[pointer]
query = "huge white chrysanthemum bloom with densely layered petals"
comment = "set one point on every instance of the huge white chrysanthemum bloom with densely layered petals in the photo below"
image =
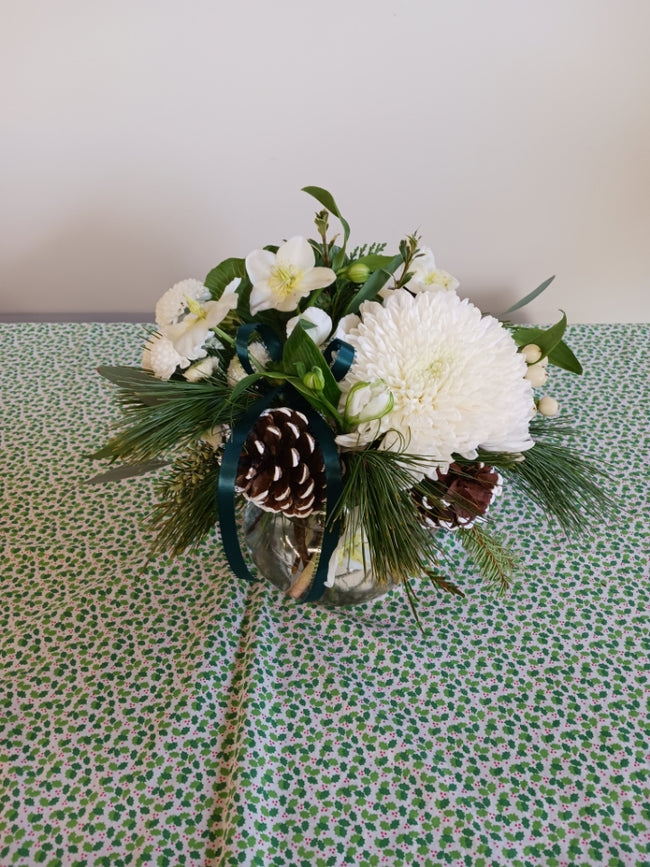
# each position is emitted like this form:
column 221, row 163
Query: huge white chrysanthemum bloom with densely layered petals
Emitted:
column 456, row 376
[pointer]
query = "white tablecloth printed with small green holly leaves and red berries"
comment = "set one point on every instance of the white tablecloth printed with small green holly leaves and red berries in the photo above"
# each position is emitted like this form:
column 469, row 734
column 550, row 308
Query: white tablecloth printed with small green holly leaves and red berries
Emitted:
column 170, row 714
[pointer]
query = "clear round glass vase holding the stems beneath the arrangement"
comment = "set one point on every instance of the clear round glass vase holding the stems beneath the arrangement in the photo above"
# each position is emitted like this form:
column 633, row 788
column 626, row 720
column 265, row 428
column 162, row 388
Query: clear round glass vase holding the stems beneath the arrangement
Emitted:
column 283, row 548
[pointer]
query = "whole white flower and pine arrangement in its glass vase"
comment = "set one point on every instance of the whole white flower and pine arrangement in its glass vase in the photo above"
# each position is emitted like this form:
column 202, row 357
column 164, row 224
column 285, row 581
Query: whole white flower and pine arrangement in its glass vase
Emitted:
column 350, row 390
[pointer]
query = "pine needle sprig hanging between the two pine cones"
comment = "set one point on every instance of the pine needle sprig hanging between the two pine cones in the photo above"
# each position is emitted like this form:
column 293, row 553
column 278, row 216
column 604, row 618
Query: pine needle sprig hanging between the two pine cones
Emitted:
column 377, row 503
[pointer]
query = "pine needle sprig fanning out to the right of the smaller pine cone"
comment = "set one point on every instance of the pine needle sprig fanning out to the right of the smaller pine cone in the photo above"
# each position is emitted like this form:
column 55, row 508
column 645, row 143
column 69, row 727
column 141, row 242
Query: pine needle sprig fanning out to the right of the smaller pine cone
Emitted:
column 567, row 486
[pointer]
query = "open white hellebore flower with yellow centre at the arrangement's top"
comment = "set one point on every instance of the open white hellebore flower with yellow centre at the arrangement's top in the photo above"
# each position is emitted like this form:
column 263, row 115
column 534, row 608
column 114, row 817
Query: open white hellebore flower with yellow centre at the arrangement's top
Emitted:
column 281, row 279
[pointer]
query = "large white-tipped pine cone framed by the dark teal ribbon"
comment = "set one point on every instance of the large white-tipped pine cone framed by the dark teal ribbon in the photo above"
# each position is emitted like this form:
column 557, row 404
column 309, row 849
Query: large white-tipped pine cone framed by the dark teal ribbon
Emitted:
column 281, row 468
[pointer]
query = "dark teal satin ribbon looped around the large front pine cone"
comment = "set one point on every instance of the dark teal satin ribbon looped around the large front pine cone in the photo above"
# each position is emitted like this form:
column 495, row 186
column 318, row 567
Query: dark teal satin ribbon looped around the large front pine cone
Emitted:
column 232, row 452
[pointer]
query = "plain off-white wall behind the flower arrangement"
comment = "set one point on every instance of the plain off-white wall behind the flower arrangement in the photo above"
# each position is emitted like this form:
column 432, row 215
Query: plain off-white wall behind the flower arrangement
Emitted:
column 145, row 140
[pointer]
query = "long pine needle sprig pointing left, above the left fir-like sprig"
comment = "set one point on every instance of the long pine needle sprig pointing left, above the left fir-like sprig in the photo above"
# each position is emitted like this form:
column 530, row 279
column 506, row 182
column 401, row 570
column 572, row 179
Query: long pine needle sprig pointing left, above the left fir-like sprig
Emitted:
column 159, row 415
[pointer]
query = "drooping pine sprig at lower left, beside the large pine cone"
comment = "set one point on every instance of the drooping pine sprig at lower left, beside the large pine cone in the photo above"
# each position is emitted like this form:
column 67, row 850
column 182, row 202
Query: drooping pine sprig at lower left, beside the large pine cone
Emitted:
column 187, row 505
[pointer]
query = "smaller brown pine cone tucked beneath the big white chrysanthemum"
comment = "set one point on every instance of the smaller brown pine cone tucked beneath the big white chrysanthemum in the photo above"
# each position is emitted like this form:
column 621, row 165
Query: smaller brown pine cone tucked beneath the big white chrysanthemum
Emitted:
column 458, row 497
